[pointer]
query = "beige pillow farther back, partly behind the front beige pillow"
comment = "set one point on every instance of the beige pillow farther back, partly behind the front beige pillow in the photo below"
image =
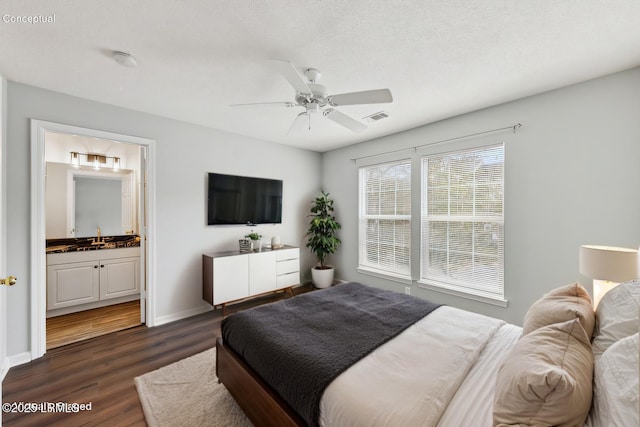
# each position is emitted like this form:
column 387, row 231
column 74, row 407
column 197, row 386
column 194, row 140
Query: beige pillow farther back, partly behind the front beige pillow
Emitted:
column 562, row 304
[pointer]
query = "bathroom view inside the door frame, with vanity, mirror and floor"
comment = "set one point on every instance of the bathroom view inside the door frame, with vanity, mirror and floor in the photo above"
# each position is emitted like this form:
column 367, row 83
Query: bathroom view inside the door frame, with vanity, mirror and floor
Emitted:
column 91, row 203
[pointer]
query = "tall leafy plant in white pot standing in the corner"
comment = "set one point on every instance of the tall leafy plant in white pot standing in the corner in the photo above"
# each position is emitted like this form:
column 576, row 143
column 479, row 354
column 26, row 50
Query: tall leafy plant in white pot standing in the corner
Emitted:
column 322, row 239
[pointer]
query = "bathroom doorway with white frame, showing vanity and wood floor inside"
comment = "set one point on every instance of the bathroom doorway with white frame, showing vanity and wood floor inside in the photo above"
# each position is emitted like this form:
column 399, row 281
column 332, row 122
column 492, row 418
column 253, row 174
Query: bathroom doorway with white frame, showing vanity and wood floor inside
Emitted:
column 91, row 260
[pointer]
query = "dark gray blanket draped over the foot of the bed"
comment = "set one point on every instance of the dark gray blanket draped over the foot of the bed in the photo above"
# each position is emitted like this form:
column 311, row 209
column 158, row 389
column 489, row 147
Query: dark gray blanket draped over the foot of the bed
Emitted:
column 299, row 345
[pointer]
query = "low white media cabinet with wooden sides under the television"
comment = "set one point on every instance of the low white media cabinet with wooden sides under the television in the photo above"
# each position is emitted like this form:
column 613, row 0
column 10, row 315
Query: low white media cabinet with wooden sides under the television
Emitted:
column 233, row 276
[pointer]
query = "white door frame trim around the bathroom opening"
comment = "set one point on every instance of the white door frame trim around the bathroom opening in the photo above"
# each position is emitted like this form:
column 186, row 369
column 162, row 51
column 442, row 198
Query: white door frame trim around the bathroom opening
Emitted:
column 38, row 227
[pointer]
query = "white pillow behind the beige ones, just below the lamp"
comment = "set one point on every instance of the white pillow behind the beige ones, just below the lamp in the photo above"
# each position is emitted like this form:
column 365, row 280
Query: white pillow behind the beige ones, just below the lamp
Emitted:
column 617, row 316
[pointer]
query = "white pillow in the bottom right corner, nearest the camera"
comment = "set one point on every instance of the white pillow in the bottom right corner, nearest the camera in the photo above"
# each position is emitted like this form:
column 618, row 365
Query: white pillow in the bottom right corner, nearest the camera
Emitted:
column 616, row 382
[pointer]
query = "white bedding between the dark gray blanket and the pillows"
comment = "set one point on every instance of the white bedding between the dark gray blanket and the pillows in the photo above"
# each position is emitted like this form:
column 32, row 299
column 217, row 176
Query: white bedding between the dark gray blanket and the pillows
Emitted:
column 410, row 380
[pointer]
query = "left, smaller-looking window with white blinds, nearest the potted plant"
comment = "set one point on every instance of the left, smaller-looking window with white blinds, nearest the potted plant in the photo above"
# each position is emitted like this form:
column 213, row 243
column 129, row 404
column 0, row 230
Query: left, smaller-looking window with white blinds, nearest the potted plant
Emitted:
column 385, row 219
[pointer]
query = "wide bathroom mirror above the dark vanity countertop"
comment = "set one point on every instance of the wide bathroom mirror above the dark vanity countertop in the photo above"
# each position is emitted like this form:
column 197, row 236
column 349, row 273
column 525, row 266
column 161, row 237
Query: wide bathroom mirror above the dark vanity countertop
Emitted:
column 78, row 201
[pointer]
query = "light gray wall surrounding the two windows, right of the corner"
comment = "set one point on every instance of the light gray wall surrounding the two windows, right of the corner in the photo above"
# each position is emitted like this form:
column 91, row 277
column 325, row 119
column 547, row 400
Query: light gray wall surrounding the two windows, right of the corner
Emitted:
column 571, row 178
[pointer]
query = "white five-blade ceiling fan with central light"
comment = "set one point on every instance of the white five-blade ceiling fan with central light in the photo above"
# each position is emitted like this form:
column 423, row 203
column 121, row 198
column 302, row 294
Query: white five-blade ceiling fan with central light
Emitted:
column 315, row 99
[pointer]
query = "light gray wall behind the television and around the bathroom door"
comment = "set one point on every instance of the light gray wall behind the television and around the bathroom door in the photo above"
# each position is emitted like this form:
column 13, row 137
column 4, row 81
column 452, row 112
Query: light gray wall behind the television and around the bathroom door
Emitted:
column 185, row 153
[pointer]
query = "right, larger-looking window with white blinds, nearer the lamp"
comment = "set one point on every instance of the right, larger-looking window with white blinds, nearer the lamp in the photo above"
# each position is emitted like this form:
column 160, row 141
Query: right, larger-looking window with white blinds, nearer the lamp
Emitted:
column 462, row 246
